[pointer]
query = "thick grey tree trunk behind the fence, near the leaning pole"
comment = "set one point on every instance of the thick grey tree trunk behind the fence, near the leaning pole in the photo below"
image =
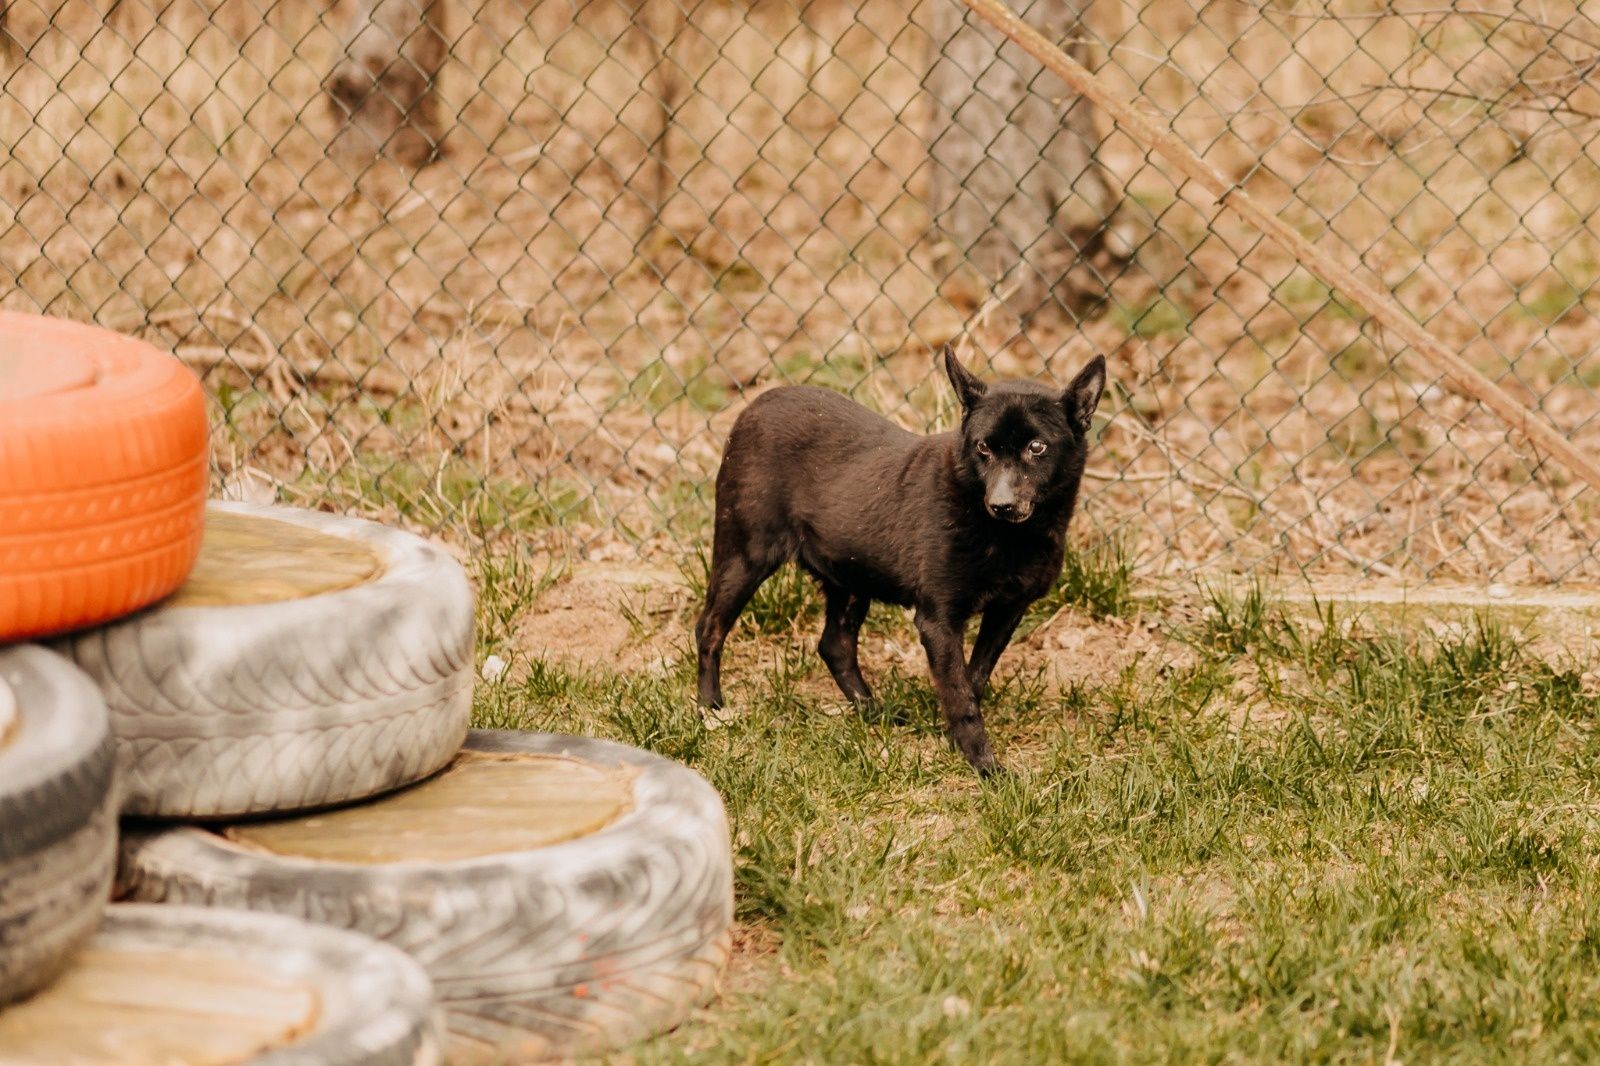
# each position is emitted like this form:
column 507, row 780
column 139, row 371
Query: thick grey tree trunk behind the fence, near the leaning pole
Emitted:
column 1017, row 188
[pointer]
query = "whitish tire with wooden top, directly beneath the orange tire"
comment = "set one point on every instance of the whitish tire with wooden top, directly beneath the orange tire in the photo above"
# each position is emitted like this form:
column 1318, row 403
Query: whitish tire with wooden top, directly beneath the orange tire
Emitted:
column 278, row 700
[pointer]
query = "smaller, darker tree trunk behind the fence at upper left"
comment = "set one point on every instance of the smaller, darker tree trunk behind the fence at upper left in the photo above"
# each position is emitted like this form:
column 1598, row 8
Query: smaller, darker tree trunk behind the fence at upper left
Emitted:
column 385, row 87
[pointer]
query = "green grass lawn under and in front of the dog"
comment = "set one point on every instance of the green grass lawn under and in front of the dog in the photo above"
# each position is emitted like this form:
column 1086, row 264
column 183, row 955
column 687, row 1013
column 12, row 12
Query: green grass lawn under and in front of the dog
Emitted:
column 1292, row 841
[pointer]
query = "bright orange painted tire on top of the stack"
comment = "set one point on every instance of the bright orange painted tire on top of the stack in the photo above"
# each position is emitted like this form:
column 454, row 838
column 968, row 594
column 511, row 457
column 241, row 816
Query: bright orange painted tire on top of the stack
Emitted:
column 103, row 475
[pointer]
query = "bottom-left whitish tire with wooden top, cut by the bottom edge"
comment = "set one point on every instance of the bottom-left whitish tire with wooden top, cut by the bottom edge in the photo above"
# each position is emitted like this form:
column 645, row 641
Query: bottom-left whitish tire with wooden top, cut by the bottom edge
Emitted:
column 199, row 985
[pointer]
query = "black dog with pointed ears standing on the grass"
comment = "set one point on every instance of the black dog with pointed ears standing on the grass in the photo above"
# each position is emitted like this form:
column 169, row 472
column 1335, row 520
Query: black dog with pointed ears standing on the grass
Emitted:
column 954, row 524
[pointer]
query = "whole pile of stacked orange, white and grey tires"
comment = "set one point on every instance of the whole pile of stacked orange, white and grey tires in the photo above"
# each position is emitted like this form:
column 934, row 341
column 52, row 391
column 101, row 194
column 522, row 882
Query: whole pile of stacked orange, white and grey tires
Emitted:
column 274, row 705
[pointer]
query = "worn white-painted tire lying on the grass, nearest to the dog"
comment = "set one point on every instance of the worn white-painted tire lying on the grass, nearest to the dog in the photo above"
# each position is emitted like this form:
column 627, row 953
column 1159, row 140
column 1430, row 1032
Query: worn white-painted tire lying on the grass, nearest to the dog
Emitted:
column 548, row 952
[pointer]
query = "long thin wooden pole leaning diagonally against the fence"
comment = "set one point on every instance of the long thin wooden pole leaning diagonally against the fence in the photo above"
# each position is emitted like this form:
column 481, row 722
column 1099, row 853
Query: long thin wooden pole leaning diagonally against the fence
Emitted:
column 1359, row 291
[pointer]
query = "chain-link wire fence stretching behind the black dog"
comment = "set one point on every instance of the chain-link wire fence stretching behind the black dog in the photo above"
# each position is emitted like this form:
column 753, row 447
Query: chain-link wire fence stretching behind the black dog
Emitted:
column 514, row 266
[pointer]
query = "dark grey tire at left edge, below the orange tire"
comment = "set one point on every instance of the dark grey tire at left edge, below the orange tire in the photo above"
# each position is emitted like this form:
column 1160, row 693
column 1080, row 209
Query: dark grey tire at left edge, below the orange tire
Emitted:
column 58, row 816
